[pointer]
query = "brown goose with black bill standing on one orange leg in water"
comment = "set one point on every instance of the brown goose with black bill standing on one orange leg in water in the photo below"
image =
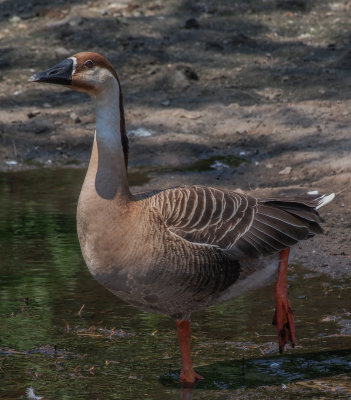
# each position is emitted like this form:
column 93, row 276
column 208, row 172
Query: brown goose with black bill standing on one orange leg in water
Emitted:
column 181, row 249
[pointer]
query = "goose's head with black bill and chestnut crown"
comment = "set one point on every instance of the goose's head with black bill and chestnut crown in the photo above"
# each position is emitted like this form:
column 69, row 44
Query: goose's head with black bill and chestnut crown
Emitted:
column 84, row 72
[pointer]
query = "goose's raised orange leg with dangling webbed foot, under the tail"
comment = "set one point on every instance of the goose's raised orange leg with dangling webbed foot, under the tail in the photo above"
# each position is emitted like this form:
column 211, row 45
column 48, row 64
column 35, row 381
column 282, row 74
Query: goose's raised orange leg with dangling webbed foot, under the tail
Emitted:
column 283, row 317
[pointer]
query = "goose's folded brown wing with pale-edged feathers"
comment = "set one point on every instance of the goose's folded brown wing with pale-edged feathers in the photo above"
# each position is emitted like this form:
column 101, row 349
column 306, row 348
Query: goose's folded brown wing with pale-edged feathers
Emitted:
column 240, row 224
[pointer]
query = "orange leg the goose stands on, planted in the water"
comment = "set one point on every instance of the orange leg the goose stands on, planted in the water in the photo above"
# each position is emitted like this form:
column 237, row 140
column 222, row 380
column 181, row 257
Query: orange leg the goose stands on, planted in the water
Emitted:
column 187, row 374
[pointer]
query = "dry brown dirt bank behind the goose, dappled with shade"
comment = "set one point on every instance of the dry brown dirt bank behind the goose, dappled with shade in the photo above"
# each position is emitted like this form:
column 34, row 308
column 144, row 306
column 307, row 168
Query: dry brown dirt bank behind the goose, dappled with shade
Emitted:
column 266, row 80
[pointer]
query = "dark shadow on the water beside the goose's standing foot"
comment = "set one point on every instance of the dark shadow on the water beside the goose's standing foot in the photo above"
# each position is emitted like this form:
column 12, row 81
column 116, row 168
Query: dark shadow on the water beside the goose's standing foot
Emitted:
column 276, row 370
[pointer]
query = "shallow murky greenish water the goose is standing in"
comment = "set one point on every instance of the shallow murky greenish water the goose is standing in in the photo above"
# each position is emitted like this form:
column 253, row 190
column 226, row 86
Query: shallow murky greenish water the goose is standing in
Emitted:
column 66, row 337
